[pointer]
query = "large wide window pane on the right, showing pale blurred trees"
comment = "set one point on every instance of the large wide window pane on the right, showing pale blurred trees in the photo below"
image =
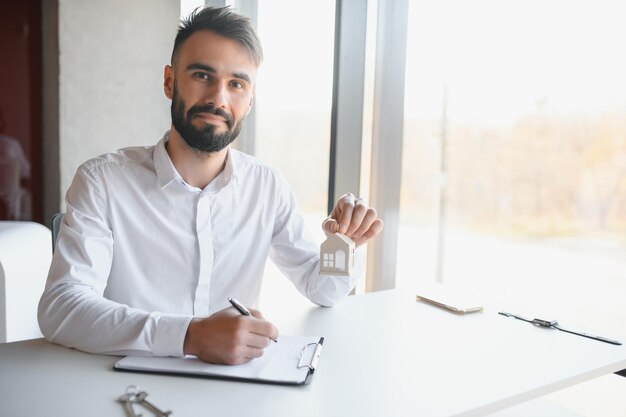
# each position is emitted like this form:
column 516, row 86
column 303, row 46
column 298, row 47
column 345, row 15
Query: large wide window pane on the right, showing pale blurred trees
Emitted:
column 514, row 162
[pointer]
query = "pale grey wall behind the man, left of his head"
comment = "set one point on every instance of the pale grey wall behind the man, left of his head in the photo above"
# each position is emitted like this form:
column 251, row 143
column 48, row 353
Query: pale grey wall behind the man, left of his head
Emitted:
column 112, row 55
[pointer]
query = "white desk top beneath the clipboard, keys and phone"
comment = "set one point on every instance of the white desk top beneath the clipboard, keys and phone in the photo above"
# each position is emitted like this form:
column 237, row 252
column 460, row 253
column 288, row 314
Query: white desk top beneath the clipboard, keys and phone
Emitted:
column 384, row 355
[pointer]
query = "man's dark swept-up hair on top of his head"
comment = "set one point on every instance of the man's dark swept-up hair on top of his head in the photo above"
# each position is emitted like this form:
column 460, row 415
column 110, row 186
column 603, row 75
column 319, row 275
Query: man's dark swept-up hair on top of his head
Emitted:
column 224, row 22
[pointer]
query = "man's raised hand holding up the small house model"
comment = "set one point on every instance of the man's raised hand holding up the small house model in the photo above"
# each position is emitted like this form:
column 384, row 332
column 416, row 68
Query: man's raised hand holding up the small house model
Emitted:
column 352, row 217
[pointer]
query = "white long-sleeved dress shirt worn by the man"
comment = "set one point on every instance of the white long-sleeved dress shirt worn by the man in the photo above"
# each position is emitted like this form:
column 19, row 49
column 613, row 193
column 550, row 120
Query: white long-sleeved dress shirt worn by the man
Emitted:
column 140, row 252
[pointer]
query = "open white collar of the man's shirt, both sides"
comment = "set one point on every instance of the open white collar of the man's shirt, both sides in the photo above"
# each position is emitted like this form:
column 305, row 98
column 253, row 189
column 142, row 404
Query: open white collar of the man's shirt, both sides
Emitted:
column 166, row 172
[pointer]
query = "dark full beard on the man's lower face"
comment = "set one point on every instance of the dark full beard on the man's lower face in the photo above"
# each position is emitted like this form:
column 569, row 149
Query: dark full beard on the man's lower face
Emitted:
column 204, row 139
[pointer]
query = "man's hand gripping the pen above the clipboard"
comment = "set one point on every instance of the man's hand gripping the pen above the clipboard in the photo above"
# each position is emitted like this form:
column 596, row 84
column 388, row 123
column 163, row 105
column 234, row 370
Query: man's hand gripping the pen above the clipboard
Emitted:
column 227, row 337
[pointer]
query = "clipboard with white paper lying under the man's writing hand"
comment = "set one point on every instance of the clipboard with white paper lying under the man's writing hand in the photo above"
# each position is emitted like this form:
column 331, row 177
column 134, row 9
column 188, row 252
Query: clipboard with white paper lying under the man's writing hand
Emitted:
column 291, row 361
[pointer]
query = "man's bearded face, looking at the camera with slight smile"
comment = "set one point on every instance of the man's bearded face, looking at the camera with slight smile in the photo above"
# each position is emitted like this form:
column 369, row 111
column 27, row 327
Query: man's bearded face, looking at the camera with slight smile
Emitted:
column 211, row 87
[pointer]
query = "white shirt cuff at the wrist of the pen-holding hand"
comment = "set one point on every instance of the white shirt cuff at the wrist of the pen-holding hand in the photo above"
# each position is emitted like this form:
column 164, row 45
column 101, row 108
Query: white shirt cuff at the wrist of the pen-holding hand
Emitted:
column 169, row 336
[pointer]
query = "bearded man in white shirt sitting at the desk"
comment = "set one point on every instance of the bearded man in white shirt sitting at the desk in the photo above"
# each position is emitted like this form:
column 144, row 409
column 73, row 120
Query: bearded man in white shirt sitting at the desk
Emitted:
column 156, row 239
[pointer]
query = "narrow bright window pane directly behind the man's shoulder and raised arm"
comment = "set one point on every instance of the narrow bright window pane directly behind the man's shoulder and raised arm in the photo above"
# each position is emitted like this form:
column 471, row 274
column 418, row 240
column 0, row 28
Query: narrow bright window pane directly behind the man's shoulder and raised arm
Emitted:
column 293, row 104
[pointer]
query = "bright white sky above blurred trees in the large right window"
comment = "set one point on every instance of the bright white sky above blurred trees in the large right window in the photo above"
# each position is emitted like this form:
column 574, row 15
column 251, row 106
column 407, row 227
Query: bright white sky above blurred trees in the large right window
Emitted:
column 500, row 57
